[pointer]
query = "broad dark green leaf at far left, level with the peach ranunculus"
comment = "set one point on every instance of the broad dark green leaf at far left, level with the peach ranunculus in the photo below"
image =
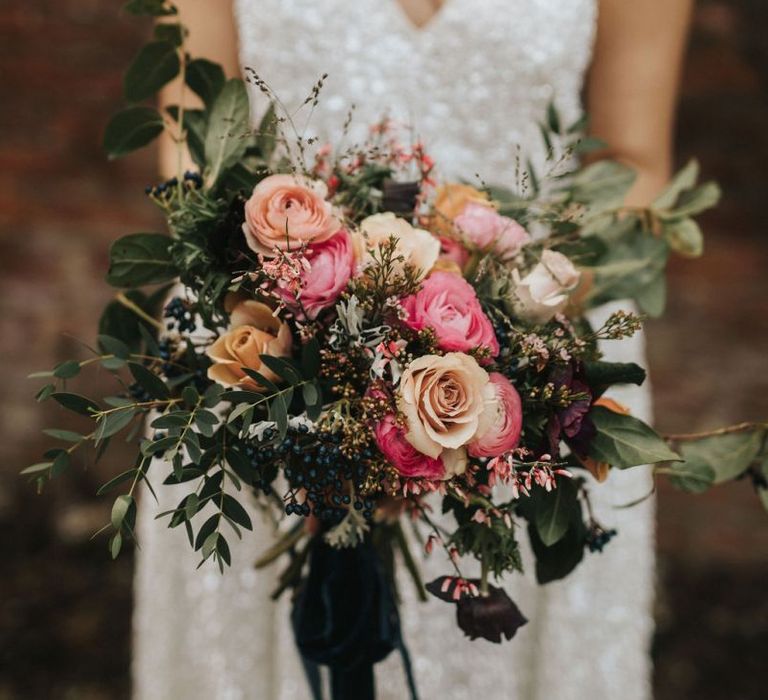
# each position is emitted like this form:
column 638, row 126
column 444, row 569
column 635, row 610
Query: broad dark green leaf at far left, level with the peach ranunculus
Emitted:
column 139, row 259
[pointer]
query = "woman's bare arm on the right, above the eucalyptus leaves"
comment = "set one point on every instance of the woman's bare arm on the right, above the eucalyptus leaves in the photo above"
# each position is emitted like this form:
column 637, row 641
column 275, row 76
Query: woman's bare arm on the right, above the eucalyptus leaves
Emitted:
column 633, row 82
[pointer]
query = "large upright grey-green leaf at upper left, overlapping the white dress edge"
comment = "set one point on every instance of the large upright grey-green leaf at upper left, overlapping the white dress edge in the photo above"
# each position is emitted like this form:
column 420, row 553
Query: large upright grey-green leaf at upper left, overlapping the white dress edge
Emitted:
column 225, row 142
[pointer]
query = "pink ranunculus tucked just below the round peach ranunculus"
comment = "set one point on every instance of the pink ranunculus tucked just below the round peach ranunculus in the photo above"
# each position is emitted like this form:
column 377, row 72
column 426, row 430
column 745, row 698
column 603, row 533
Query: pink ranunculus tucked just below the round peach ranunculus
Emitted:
column 331, row 264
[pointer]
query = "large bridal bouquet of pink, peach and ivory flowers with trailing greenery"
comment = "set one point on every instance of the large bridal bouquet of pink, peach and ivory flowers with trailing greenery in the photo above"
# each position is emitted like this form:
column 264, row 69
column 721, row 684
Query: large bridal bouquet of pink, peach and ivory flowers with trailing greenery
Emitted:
column 366, row 348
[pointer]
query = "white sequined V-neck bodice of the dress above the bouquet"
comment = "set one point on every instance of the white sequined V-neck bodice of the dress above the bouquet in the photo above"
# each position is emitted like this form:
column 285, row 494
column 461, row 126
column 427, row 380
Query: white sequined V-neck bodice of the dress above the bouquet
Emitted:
column 474, row 82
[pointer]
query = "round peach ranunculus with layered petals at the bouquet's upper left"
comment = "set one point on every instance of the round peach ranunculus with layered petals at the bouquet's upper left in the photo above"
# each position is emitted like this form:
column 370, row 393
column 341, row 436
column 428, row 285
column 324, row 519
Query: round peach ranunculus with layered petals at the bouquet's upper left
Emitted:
column 285, row 212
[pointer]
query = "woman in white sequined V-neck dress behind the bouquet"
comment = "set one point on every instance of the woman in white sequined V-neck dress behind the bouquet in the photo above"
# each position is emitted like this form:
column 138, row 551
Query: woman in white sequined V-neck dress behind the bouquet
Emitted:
column 474, row 78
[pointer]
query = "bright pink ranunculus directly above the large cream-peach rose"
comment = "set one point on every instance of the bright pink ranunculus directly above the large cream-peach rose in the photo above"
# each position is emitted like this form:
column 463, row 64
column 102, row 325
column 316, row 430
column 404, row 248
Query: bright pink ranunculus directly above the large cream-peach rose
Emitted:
column 447, row 303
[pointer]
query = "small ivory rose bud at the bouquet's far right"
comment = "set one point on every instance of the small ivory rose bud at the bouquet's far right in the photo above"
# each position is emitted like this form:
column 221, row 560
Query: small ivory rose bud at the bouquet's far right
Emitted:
column 544, row 291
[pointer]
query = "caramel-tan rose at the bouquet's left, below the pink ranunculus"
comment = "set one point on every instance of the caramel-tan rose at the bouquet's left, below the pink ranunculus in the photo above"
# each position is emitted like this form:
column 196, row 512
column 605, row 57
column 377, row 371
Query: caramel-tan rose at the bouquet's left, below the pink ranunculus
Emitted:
column 253, row 331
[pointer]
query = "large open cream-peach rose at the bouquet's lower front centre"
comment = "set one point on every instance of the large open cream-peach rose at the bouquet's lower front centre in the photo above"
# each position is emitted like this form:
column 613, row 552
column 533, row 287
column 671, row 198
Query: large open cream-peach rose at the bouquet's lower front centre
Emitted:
column 443, row 399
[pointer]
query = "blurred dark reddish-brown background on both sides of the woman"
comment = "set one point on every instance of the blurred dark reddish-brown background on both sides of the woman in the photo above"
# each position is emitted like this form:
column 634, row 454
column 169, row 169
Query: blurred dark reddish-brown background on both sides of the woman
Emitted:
column 65, row 607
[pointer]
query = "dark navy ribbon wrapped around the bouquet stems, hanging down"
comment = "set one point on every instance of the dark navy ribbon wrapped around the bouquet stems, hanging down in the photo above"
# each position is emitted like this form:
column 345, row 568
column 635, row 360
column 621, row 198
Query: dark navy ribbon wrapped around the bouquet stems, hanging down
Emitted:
column 345, row 617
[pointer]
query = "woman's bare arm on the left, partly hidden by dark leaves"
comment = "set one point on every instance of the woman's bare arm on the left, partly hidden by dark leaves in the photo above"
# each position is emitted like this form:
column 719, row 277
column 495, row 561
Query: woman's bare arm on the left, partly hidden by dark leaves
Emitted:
column 212, row 36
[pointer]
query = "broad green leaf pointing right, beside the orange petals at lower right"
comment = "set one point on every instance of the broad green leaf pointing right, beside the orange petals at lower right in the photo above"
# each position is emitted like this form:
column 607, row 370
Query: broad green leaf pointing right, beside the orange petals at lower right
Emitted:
column 624, row 441
